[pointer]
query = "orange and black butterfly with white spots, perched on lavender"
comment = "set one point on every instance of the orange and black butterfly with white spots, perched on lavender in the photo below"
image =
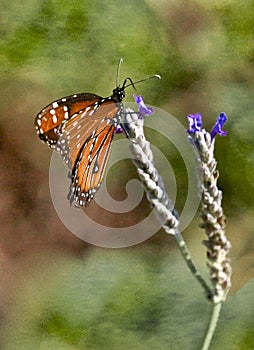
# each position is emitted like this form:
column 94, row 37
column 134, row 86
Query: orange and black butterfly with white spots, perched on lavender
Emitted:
column 81, row 128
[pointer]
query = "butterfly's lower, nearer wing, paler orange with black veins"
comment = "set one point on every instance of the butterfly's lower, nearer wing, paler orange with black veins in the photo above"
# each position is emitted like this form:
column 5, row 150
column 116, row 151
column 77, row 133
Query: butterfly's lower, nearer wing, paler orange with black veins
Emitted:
column 85, row 145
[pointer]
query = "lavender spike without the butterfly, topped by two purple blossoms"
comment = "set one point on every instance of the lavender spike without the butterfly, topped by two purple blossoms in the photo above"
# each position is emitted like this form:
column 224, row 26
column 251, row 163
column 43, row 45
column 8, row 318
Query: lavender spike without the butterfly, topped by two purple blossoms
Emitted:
column 213, row 218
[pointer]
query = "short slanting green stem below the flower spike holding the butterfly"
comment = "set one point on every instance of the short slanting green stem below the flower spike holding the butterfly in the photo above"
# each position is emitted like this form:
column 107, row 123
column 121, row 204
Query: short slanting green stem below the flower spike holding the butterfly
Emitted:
column 187, row 257
